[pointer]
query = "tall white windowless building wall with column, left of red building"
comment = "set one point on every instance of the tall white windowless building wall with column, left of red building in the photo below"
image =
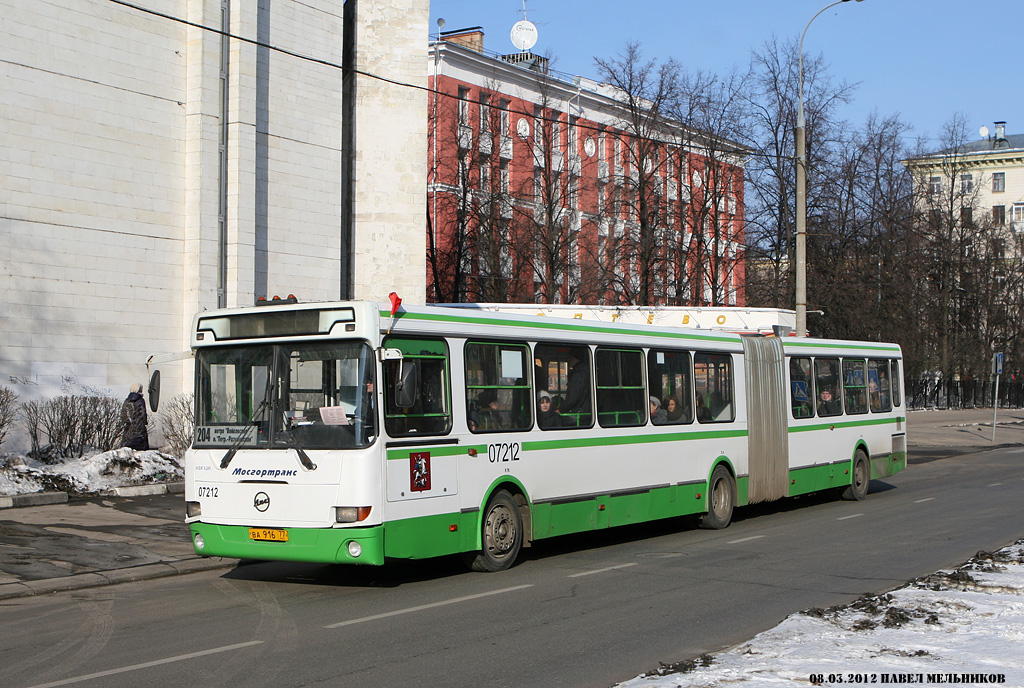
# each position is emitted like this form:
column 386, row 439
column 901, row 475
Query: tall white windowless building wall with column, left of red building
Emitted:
column 181, row 155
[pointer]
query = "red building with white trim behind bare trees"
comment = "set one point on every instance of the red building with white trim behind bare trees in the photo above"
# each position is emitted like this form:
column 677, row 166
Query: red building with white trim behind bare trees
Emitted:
column 551, row 189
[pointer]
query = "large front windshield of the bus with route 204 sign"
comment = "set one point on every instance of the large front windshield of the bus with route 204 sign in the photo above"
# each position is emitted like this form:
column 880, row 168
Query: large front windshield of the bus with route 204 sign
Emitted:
column 311, row 397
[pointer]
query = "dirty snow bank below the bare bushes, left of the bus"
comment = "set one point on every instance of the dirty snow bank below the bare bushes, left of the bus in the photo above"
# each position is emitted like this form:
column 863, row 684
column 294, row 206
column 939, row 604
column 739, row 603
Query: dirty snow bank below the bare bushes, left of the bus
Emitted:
column 88, row 476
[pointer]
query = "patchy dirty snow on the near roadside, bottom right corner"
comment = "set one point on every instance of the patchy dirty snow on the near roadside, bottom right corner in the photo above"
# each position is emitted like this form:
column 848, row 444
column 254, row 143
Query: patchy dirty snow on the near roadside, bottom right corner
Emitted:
column 963, row 627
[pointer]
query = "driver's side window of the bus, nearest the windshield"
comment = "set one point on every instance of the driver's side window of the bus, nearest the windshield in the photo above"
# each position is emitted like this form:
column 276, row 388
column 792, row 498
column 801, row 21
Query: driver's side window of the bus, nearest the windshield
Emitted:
column 430, row 409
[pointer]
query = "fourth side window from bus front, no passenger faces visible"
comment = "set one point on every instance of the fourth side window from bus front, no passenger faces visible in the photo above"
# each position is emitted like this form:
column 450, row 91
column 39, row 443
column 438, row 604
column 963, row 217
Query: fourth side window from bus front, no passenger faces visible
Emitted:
column 621, row 396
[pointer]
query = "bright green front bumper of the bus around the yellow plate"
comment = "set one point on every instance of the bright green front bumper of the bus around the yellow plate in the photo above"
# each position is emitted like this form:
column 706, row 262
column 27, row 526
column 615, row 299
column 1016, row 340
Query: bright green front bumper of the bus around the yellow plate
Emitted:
column 329, row 546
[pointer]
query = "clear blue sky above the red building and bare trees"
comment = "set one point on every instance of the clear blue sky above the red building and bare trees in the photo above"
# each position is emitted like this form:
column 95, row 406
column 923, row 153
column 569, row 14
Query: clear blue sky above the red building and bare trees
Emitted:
column 922, row 60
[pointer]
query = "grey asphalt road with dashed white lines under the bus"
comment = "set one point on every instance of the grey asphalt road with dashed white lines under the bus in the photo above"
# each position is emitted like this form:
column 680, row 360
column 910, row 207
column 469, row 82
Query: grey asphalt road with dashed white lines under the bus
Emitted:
column 588, row 611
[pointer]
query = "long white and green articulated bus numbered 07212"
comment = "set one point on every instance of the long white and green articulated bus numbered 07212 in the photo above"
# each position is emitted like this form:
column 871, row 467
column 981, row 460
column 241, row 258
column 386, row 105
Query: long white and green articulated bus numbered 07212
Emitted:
column 343, row 433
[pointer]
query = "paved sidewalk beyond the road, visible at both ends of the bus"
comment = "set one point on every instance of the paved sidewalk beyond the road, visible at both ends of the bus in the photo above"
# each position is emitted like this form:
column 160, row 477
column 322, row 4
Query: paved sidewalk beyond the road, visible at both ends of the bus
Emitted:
column 61, row 545
